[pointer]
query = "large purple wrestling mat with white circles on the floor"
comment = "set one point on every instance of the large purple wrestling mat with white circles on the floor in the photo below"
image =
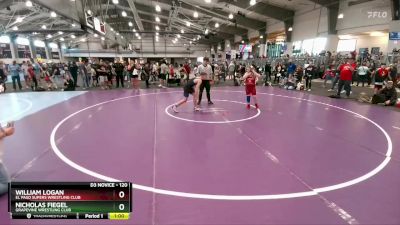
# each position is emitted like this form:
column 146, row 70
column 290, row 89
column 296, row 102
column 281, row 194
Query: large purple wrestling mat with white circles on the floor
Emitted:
column 300, row 159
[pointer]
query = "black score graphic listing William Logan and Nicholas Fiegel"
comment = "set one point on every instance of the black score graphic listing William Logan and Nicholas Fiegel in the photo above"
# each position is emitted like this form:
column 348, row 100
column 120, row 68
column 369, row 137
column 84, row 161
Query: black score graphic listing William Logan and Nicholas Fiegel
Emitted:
column 70, row 200
